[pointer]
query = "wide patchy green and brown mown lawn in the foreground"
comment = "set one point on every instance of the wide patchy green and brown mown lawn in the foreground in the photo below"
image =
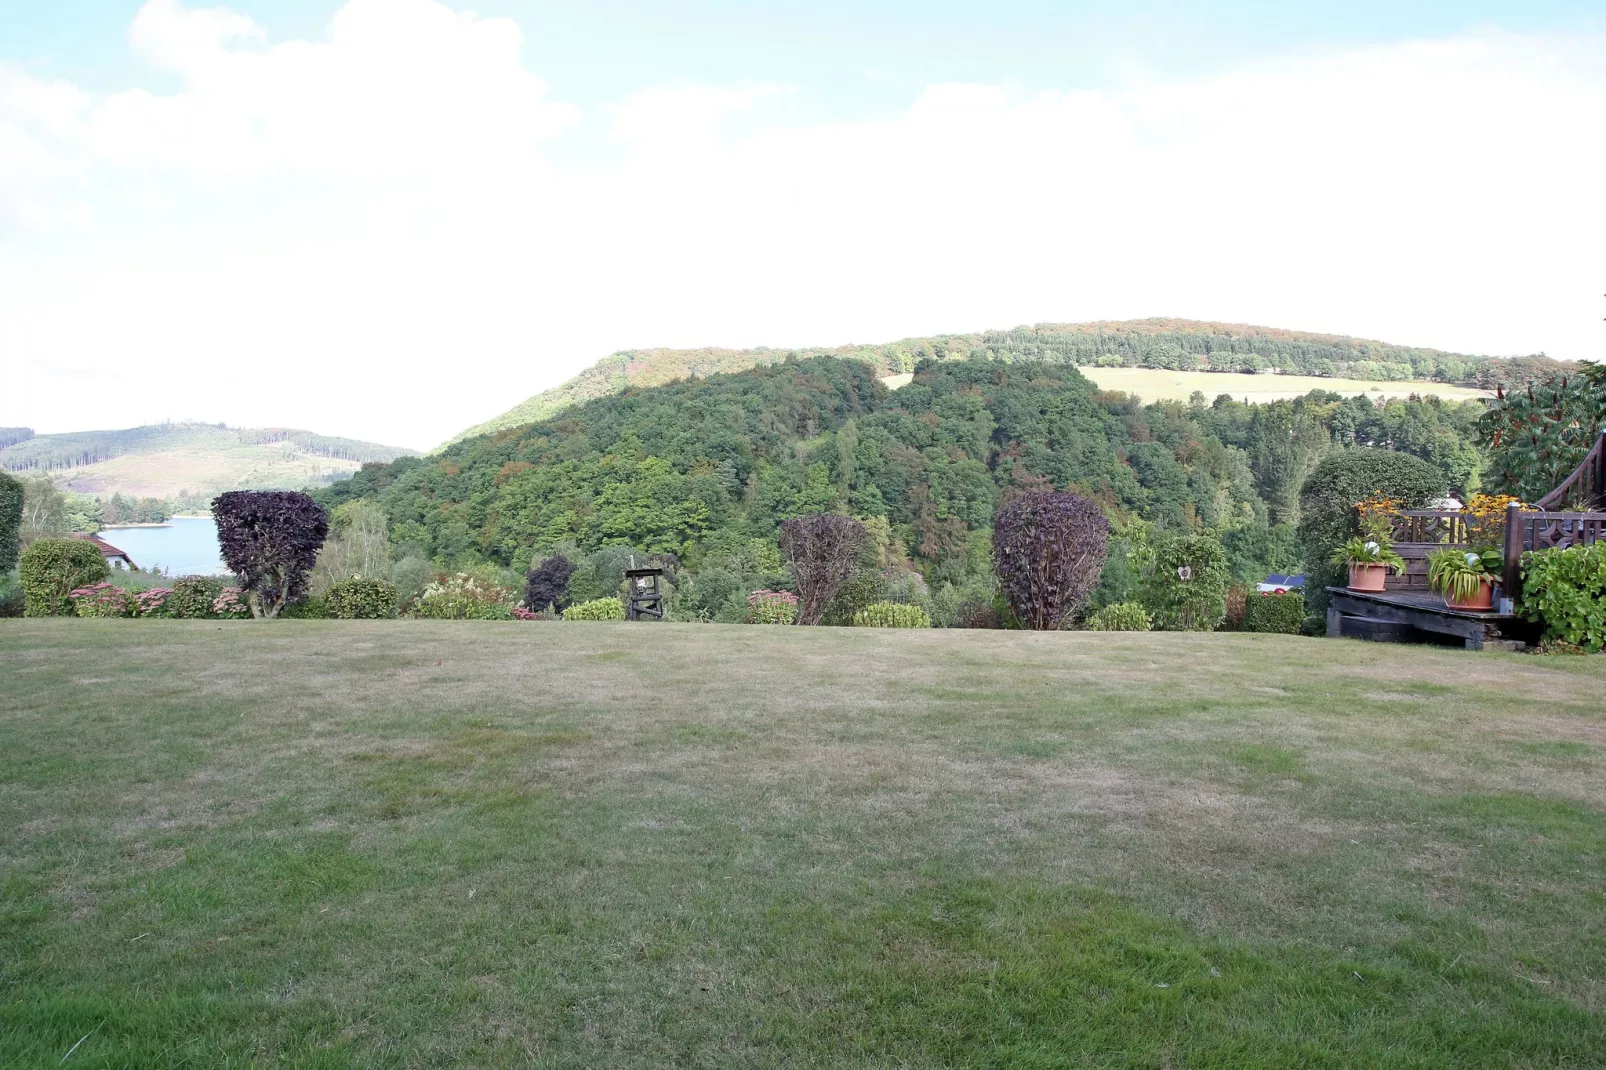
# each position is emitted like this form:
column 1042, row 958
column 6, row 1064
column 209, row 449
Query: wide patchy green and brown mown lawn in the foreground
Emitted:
column 640, row 846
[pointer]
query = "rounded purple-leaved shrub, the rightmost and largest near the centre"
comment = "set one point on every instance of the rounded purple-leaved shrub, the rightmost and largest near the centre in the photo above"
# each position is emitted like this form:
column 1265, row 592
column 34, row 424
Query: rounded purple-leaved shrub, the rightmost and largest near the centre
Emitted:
column 1050, row 550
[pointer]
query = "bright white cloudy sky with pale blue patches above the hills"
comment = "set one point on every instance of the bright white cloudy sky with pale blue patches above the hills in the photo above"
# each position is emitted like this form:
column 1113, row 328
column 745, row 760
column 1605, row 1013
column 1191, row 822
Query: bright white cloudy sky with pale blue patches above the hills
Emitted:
column 393, row 219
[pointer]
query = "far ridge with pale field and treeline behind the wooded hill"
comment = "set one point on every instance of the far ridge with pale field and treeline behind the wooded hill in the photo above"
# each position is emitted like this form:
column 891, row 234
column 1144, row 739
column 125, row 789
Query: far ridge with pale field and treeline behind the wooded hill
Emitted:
column 1167, row 345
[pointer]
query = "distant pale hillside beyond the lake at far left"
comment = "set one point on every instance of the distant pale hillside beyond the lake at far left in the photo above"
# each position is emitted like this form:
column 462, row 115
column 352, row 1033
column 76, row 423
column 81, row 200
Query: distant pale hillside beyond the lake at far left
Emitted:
column 173, row 460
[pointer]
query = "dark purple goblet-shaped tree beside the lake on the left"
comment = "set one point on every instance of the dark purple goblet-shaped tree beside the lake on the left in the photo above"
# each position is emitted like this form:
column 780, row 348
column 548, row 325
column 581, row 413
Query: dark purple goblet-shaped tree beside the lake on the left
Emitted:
column 271, row 541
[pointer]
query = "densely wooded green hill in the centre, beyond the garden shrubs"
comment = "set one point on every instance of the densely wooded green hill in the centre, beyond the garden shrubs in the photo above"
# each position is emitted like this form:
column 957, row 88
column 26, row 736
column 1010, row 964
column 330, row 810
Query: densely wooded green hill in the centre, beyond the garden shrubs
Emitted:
column 704, row 465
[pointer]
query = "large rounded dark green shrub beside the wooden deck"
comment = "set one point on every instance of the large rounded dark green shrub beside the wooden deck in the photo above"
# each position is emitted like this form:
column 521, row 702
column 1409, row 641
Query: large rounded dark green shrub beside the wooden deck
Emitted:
column 1327, row 505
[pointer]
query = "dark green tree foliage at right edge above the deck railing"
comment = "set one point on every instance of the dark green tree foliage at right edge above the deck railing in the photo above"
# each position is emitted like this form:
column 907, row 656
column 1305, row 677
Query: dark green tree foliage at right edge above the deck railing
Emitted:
column 1539, row 433
